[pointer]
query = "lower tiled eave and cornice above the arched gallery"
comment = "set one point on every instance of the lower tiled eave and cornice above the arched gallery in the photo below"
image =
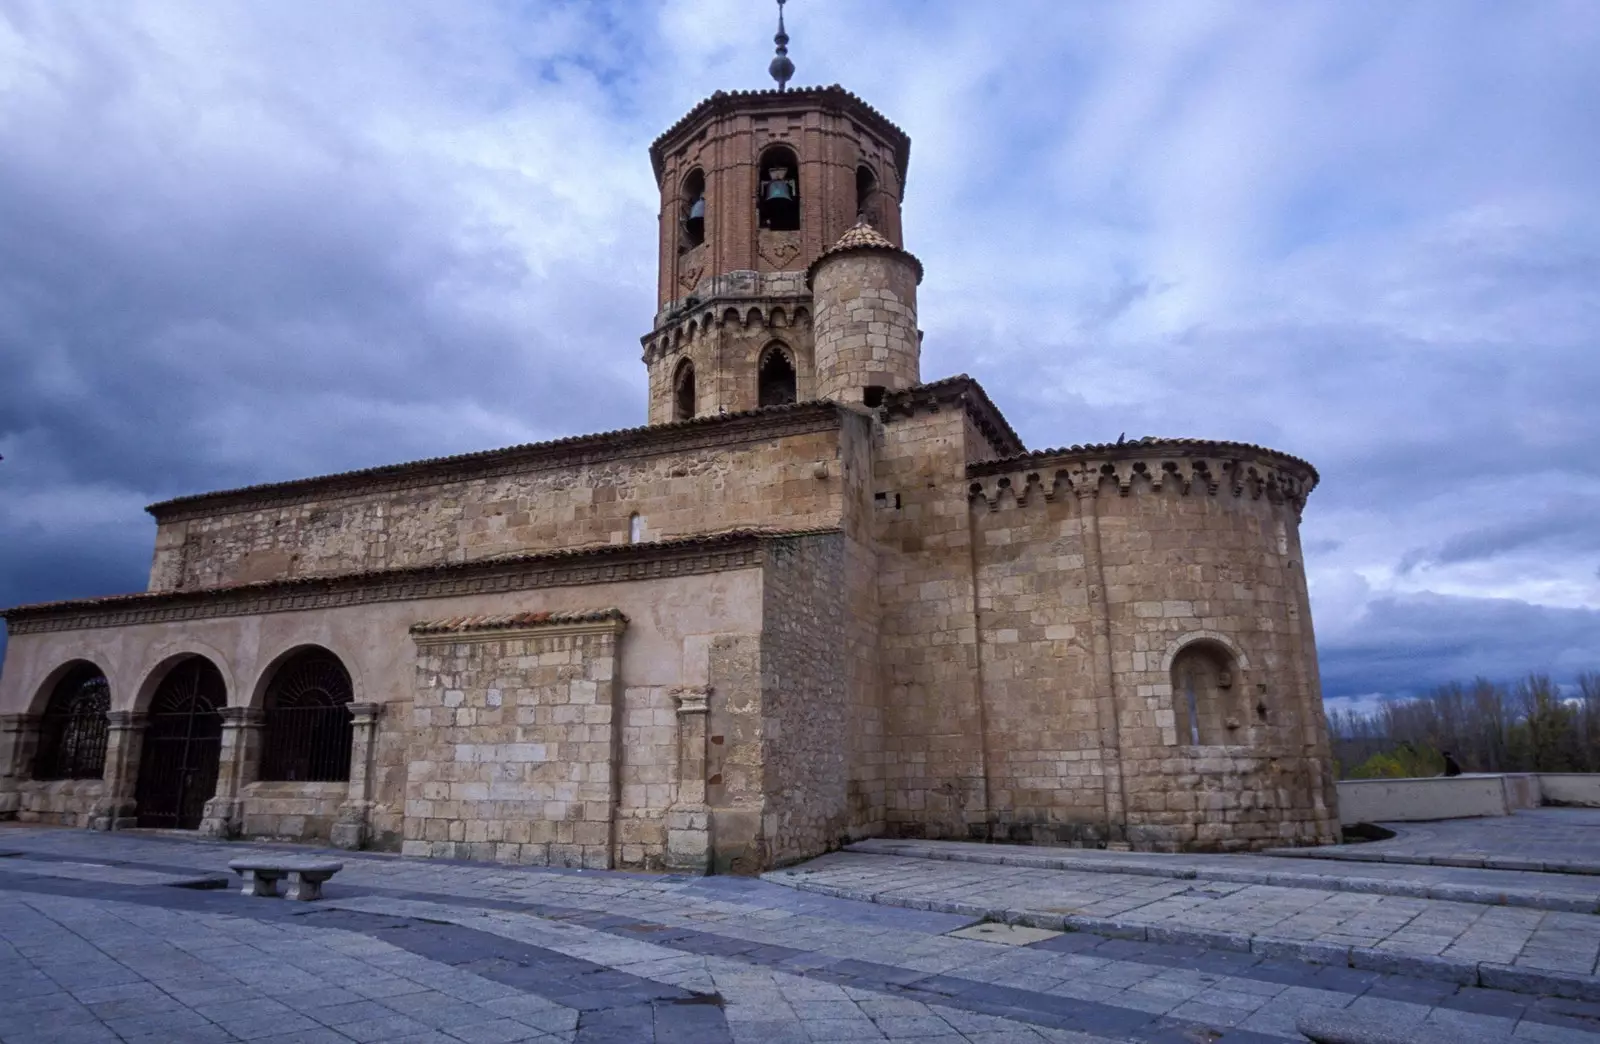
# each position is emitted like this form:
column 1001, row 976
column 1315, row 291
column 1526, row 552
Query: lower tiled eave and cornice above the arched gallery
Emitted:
column 556, row 569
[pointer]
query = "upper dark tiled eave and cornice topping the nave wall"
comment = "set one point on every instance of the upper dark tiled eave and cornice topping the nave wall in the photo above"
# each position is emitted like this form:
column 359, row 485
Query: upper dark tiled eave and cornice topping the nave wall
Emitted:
column 705, row 433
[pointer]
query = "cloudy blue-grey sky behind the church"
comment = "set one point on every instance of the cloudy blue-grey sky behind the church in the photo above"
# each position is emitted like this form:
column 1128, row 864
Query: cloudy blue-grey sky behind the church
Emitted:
column 244, row 243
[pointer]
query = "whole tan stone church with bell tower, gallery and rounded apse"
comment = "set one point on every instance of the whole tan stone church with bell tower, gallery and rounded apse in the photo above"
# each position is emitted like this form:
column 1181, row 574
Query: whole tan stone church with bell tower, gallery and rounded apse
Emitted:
column 814, row 600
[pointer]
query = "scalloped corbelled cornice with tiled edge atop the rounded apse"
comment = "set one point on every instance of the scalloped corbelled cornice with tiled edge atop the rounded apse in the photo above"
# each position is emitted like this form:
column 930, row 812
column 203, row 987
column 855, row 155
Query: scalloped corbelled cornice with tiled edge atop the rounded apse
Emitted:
column 1190, row 465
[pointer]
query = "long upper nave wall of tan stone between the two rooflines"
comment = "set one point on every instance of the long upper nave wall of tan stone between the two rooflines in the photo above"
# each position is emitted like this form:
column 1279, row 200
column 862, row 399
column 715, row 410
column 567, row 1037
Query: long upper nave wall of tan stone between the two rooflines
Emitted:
column 766, row 475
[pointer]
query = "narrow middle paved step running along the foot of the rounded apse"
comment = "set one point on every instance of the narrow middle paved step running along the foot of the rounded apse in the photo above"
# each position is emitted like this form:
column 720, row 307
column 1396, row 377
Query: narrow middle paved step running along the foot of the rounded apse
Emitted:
column 1538, row 891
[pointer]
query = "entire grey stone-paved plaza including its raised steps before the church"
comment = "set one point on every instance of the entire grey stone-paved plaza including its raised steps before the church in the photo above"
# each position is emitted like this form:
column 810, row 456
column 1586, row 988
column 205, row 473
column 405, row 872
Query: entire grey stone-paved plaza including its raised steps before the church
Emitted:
column 130, row 938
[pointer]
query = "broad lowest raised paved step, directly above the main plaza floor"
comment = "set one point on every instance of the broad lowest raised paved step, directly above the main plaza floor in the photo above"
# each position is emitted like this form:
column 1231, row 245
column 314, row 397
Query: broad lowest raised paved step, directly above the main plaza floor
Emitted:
column 1513, row 949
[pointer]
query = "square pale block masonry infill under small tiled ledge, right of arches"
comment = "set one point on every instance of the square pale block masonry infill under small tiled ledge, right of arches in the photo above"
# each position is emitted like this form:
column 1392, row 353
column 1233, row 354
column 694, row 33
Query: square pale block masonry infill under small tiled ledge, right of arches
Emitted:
column 516, row 745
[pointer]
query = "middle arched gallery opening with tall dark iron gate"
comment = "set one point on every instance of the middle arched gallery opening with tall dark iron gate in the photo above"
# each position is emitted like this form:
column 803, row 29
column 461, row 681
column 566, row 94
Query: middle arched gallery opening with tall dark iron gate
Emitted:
column 183, row 745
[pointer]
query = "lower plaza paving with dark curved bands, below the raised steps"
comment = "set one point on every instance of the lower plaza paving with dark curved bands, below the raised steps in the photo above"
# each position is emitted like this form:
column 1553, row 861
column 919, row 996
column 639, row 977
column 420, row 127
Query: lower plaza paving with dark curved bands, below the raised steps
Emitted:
column 444, row 952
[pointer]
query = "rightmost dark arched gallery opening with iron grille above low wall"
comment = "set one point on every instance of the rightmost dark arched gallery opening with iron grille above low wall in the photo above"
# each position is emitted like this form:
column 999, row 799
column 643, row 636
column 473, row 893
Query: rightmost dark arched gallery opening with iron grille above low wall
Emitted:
column 308, row 720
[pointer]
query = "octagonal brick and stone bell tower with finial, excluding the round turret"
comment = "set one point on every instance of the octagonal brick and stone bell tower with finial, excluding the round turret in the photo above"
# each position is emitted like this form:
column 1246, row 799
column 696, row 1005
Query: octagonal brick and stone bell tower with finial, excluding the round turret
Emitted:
column 756, row 187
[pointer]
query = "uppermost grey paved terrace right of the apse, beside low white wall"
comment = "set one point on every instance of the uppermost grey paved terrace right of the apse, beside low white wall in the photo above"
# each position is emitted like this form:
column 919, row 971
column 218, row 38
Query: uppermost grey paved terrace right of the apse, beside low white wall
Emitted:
column 1554, row 841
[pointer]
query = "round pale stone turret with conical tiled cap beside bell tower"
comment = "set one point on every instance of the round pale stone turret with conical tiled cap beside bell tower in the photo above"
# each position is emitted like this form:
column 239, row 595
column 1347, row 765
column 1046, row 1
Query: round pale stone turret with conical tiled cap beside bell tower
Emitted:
column 865, row 327
